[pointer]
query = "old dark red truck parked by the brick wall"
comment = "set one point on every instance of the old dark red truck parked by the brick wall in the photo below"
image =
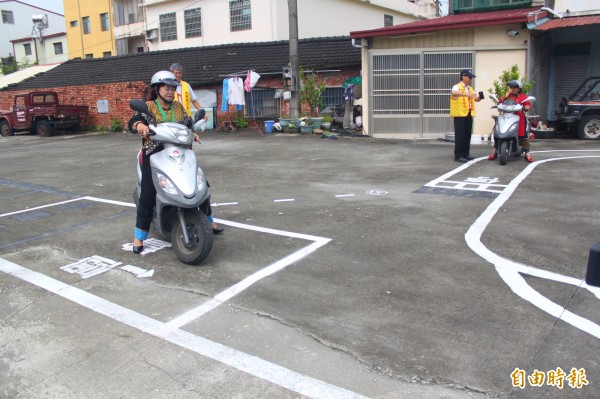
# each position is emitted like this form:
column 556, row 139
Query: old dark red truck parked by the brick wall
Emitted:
column 41, row 113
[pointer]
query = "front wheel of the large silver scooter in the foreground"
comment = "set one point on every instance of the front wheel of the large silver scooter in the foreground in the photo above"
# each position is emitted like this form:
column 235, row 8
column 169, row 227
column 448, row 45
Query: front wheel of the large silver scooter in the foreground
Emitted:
column 200, row 234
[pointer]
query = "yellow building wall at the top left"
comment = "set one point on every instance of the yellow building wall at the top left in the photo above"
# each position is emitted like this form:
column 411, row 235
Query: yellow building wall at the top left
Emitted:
column 97, row 42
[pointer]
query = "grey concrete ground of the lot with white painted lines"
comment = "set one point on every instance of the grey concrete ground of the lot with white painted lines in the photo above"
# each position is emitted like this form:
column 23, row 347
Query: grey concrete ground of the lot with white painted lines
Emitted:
column 348, row 268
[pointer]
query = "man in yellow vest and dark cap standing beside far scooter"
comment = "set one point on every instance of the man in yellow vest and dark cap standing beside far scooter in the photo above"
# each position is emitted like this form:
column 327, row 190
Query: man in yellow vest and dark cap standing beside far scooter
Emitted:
column 462, row 109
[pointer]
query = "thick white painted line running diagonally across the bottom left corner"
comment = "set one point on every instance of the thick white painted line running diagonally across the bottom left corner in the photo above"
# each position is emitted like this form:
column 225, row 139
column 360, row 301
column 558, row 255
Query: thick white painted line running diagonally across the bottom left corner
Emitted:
column 252, row 365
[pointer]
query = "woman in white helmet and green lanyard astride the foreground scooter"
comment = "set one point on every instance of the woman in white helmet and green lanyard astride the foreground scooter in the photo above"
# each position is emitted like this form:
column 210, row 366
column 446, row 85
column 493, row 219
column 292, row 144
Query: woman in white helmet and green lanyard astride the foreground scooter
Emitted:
column 161, row 105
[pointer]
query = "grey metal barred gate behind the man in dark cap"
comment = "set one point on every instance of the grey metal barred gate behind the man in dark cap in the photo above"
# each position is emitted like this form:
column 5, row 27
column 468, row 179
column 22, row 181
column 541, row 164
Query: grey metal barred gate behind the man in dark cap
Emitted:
column 411, row 92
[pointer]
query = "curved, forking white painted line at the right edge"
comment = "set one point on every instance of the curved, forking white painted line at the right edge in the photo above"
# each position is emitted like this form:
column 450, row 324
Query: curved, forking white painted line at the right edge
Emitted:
column 511, row 272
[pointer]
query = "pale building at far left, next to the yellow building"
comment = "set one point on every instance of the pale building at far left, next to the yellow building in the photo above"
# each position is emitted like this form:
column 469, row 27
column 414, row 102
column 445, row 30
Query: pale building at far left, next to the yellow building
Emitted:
column 18, row 40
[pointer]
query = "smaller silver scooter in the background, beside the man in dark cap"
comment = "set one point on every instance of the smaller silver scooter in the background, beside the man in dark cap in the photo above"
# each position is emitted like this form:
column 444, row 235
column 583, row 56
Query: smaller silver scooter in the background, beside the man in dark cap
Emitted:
column 506, row 129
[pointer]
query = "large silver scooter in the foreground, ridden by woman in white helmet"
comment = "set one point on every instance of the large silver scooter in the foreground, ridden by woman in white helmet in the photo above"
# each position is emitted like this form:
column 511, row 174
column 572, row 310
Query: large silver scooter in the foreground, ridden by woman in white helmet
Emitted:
column 182, row 192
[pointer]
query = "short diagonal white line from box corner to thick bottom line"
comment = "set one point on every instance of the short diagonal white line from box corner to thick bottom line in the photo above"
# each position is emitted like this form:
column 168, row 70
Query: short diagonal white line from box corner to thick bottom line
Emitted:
column 234, row 290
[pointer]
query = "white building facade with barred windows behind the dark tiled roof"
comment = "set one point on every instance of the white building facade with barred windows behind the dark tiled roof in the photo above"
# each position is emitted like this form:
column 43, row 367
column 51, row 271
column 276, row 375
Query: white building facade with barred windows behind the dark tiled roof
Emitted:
column 188, row 23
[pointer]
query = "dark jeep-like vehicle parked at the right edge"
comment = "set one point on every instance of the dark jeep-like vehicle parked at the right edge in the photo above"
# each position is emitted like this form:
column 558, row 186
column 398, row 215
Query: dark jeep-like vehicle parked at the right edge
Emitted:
column 581, row 110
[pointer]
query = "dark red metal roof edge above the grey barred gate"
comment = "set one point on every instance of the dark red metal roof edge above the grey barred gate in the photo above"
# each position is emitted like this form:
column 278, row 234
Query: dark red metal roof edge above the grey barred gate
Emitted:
column 456, row 21
